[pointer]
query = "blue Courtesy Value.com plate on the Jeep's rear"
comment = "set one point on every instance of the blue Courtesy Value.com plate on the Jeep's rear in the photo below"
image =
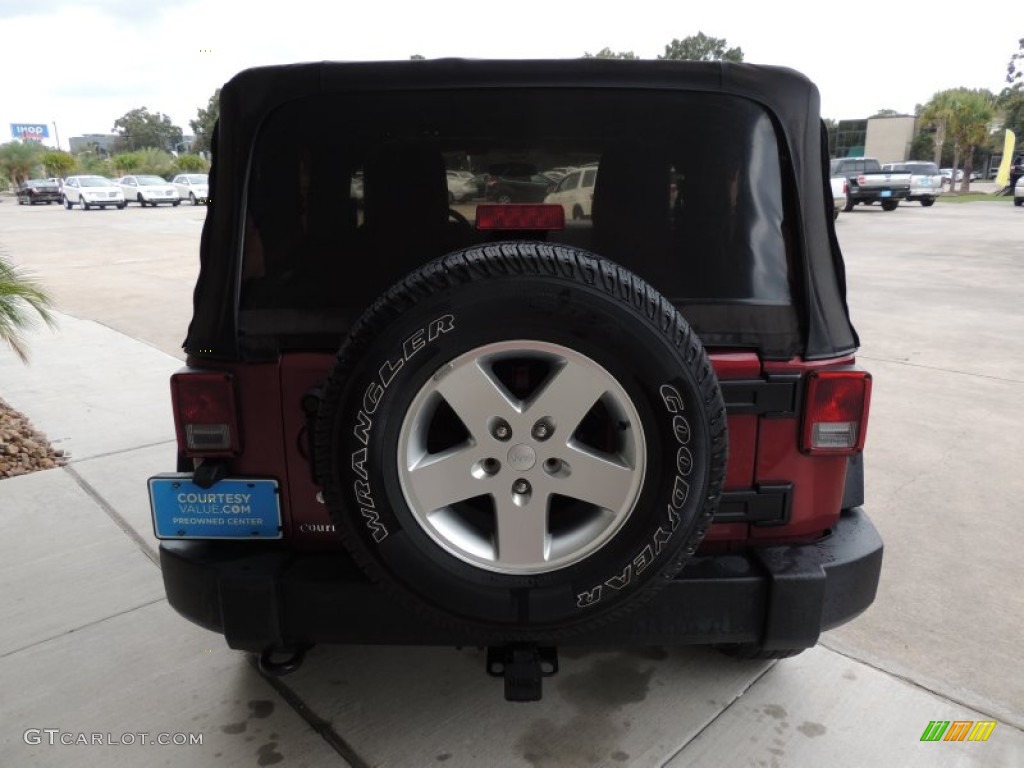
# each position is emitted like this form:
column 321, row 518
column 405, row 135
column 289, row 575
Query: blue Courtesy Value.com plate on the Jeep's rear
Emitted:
column 229, row 509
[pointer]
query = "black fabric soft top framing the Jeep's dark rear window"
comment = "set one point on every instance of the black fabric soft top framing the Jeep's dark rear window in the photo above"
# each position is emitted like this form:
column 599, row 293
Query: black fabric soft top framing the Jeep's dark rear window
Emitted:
column 791, row 100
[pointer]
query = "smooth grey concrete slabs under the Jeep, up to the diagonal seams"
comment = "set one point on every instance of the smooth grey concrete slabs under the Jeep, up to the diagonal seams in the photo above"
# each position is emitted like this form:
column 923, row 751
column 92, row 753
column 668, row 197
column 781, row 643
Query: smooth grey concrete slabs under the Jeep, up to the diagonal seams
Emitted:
column 89, row 645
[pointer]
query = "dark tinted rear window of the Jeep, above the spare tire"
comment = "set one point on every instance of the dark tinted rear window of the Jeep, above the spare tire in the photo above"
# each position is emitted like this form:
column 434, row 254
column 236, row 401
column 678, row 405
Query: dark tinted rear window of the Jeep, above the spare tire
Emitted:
column 688, row 193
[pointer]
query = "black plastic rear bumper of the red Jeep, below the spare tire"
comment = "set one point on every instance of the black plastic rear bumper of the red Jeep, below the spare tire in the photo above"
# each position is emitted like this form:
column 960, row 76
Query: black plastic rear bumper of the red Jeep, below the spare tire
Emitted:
column 262, row 598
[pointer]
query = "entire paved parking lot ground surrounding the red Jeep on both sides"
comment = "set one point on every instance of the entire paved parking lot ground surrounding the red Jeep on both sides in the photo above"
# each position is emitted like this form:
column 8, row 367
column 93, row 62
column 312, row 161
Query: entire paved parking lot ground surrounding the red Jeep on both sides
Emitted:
column 90, row 645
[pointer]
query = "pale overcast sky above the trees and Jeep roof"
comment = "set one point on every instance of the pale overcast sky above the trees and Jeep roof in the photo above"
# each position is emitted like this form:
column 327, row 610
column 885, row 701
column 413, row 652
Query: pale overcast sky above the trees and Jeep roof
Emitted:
column 83, row 65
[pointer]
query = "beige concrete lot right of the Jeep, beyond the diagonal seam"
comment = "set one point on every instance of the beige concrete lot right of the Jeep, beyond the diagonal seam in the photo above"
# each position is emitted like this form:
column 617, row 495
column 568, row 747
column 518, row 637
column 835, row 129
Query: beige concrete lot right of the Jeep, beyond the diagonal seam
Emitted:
column 937, row 296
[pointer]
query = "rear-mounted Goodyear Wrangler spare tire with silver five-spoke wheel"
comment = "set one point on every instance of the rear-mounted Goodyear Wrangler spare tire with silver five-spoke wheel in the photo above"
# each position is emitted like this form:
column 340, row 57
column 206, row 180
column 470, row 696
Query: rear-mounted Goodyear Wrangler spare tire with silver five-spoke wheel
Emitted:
column 524, row 440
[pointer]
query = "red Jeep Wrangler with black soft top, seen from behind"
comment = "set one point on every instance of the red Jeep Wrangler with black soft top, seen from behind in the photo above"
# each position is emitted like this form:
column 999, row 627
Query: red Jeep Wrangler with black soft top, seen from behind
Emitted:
column 629, row 419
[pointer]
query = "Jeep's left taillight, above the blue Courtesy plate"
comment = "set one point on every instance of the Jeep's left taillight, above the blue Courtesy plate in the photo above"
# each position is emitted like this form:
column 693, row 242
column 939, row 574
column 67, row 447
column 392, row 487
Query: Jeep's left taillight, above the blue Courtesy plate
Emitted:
column 205, row 413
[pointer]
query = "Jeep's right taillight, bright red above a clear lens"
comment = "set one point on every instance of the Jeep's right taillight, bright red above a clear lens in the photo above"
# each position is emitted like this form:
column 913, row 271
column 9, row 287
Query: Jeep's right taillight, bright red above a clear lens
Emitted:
column 836, row 412
